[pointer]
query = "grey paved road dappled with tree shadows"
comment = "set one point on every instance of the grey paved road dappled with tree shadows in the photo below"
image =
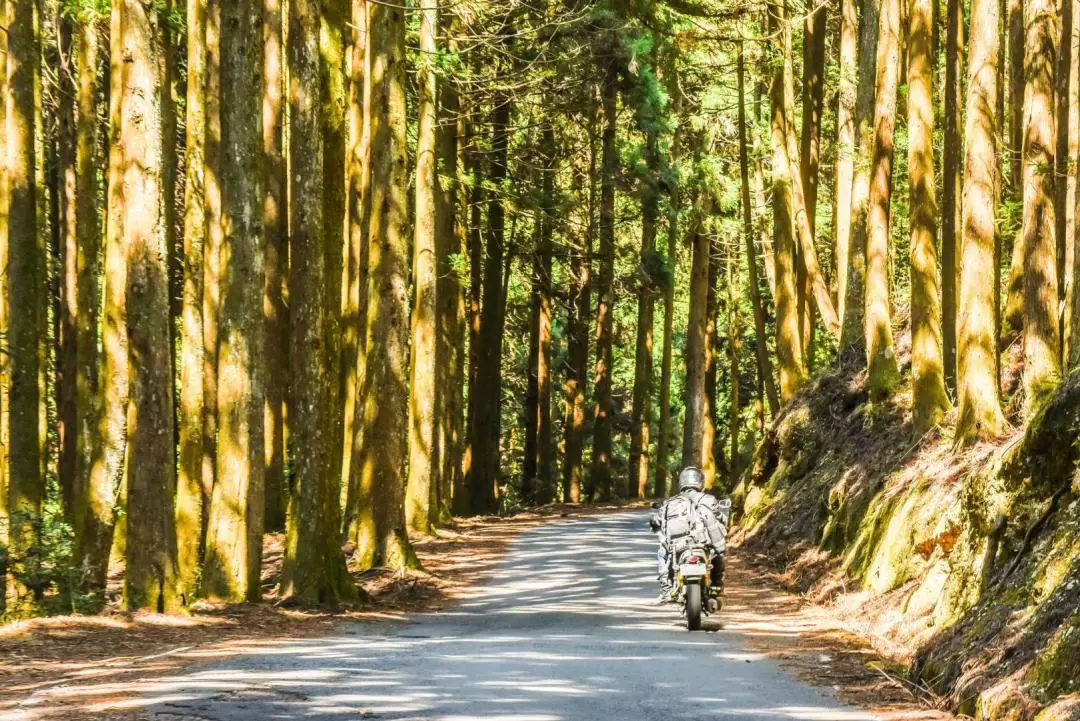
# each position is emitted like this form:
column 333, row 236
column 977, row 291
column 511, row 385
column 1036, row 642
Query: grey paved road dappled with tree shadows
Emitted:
column 566, row 631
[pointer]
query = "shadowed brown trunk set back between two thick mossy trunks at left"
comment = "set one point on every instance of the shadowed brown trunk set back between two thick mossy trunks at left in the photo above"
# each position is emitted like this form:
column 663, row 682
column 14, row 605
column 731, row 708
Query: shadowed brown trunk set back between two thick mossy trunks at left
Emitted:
column 276, row 265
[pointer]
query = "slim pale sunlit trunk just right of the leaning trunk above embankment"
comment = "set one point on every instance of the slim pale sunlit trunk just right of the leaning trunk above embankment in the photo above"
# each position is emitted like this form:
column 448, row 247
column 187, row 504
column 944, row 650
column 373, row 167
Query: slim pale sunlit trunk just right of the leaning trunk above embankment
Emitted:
column 845, row 148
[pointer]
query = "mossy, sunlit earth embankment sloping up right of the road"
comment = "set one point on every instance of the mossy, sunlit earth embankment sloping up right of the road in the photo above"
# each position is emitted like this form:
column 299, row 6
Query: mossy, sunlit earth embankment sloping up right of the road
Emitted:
column 962, row 566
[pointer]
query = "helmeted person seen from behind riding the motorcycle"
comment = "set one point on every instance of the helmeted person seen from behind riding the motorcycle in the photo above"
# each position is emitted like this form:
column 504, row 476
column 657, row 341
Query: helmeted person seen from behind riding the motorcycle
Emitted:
column 712, row 516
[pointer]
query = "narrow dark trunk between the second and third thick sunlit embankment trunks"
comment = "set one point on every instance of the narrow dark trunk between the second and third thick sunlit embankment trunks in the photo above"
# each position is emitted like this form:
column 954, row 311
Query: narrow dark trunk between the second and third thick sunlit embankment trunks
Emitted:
column 952, row 189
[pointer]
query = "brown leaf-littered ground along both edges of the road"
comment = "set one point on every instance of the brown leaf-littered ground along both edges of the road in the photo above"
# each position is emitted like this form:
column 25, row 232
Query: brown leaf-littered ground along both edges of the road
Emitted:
column 50, row 666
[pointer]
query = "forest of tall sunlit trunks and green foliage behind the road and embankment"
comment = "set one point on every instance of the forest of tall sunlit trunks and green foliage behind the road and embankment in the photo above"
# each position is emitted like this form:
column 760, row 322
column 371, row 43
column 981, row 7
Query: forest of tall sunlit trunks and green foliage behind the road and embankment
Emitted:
column 348, row 270
